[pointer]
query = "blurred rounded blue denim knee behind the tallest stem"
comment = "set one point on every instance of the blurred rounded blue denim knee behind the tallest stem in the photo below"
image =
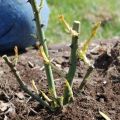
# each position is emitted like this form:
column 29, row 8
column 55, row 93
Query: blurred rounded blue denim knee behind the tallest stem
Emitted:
column 17, row 25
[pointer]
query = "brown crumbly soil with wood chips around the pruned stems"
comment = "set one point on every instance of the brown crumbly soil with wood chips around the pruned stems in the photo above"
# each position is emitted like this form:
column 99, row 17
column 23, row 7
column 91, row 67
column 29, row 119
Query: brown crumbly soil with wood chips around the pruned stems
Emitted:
column 102, row 91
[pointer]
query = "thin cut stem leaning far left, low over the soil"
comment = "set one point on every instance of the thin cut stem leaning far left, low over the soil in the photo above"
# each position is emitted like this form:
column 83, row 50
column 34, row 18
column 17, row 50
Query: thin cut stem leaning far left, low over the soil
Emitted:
column 22, row 84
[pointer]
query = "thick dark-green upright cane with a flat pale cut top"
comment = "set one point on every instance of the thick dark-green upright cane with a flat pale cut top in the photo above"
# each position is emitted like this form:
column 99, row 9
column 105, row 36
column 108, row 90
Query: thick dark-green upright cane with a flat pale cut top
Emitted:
column 73, row 62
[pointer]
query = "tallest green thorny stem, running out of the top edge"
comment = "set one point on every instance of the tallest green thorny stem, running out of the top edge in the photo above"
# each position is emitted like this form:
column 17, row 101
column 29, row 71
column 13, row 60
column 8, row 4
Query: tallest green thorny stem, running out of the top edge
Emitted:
column 42, row 40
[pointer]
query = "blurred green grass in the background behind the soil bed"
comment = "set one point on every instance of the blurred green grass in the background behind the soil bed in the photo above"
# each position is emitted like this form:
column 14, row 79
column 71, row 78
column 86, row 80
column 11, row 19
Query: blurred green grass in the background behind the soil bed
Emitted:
column 87, row 12
